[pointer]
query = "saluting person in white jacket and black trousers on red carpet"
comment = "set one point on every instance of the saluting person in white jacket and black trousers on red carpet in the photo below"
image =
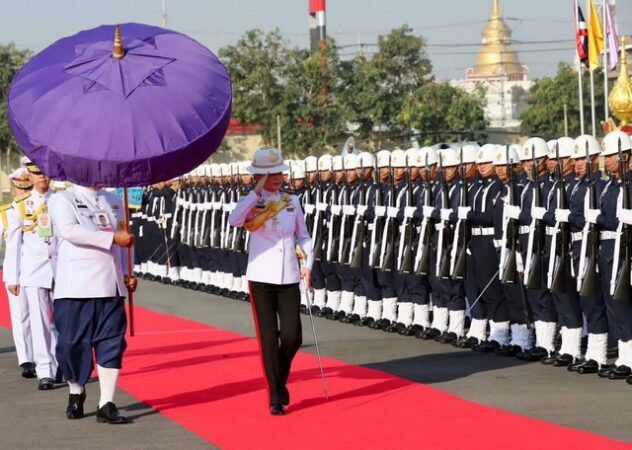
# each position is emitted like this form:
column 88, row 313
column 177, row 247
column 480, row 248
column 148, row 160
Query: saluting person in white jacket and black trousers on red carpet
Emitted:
column 276, row 224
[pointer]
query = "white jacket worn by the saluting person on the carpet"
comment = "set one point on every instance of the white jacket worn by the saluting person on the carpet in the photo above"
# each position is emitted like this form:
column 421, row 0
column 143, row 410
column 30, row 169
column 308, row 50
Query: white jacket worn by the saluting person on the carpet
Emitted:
column 272, row 249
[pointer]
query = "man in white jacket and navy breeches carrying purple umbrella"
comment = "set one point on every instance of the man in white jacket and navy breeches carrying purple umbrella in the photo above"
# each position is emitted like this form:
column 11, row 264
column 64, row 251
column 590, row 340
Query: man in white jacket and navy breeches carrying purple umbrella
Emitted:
column 89, row 294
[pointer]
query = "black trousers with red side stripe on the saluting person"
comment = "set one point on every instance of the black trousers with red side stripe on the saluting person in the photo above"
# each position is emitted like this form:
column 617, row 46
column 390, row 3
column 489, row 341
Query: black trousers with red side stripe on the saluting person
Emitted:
column 278, row 325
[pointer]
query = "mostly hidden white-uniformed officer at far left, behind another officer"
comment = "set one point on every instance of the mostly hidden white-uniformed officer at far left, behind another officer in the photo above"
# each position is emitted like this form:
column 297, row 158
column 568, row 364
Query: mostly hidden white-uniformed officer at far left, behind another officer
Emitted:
column 18, row 305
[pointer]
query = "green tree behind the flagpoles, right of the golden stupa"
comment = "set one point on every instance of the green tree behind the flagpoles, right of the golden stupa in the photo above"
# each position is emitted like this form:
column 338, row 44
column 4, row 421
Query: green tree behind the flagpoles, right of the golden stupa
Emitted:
column 544, row 115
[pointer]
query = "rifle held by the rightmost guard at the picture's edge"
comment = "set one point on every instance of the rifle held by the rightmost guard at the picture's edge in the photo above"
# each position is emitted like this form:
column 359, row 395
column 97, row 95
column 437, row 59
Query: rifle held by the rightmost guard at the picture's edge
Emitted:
column 620, row 281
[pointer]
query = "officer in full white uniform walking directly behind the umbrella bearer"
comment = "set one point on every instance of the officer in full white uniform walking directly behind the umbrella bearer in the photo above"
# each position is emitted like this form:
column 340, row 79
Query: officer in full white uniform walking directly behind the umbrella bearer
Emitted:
column 31, row 254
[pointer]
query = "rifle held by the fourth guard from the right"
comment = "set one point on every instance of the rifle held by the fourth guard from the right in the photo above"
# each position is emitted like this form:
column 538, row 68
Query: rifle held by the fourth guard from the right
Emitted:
column 535, row 245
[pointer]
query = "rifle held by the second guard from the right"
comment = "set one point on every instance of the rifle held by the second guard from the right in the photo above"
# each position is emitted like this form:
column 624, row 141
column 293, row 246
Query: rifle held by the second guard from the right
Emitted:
column 587, row 273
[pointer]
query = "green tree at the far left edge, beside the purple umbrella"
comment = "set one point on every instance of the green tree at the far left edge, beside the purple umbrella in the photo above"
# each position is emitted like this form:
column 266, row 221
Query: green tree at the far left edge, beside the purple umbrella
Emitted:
column 11, row 60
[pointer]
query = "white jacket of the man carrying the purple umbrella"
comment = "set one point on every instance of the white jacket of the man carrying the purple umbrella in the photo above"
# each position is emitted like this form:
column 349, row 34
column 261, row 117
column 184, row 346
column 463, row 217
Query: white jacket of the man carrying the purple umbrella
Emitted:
column 89, row 264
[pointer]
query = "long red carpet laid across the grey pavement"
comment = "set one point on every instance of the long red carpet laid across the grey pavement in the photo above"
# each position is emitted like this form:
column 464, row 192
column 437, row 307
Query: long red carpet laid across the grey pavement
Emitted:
column 209, row 381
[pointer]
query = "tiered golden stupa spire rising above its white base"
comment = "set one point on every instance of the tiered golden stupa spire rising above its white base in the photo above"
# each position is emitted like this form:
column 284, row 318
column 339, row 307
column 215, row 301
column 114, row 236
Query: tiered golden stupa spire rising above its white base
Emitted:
column 497, row 58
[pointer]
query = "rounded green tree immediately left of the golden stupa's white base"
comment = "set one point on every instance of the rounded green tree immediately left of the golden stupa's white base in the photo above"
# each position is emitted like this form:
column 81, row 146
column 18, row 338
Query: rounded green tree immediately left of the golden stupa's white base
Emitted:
column 438, row 111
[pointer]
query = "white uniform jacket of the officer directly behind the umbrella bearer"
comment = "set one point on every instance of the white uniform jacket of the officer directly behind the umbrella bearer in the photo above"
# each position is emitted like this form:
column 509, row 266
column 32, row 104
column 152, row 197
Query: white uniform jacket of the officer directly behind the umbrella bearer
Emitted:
column 31, row 258
